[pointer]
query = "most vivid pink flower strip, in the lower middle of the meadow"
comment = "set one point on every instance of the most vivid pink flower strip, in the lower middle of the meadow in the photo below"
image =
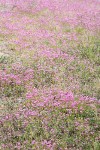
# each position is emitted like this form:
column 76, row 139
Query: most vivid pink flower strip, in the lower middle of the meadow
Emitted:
column 60, row 99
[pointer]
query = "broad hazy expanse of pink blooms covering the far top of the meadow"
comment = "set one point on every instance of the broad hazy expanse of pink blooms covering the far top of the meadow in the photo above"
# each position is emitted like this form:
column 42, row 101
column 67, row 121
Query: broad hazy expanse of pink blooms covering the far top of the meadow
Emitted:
column 84, row 13
